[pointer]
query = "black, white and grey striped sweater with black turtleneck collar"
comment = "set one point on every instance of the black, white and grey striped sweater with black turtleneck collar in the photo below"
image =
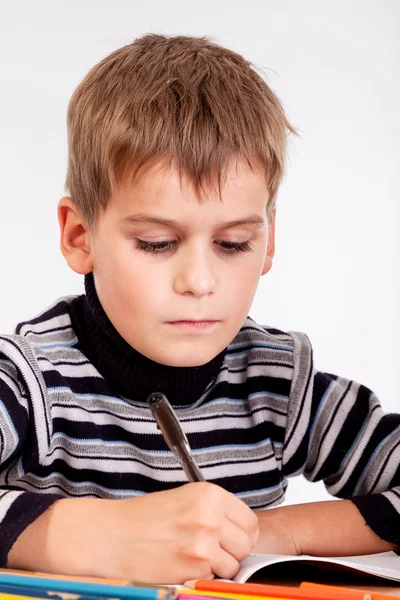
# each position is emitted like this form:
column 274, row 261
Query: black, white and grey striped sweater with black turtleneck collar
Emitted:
column 259, row 414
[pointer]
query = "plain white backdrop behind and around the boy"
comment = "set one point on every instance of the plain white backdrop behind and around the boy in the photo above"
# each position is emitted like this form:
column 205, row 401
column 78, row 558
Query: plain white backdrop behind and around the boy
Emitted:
column 334, row 64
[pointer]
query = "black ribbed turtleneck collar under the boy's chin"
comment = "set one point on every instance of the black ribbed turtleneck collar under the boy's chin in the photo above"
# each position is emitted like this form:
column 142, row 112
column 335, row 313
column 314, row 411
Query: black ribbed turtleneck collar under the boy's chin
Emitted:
column 128, row 372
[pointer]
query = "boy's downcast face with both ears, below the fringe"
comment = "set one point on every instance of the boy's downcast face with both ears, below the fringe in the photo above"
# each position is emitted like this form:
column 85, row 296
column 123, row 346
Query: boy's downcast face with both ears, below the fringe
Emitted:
column 176, row 276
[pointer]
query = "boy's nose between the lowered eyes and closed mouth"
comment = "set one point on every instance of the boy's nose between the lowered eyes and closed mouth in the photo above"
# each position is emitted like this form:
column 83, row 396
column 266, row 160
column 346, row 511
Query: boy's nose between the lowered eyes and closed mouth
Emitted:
column 195, row 273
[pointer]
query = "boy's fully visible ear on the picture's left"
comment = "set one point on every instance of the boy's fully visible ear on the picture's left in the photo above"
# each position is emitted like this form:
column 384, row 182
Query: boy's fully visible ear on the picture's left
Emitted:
column 75, row 237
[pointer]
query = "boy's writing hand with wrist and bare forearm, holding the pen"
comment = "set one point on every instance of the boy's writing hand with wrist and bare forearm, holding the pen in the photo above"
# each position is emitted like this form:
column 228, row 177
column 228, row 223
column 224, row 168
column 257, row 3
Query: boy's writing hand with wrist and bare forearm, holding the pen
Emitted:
column 194, row 531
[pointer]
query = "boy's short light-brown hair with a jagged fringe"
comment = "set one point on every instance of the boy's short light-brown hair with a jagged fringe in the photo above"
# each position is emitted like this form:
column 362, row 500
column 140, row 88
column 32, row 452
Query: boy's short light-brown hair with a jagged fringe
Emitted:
column 181, row 99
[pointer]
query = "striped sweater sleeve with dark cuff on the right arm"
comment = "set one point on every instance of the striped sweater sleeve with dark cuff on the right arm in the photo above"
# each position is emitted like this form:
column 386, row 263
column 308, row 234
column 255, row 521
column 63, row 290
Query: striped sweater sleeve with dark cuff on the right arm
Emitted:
column 338, row 432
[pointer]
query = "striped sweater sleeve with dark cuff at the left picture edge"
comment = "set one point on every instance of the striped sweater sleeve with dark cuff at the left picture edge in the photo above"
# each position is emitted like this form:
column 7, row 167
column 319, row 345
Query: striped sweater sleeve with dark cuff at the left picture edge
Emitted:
column 18, row 508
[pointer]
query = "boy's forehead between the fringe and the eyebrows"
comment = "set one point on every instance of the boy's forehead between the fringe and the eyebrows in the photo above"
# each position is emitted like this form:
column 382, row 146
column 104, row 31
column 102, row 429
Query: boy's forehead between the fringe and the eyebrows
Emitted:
column 160, row 189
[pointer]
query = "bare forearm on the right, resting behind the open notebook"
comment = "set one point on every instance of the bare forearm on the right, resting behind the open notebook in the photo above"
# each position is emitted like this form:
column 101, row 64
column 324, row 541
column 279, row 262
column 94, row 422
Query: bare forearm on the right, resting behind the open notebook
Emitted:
column 331, row 528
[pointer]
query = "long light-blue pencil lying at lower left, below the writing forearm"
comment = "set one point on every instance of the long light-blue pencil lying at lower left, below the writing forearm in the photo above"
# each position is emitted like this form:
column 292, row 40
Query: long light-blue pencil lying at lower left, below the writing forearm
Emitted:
column 41, row 586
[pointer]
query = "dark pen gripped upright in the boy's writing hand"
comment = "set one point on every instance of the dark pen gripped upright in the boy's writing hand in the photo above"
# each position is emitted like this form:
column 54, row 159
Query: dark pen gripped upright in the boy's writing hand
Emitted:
column 173, row 434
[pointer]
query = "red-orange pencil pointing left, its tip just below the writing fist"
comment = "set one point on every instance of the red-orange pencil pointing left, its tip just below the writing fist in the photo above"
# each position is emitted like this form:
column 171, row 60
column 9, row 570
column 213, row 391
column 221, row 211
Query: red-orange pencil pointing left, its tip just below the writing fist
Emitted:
column 275, row 591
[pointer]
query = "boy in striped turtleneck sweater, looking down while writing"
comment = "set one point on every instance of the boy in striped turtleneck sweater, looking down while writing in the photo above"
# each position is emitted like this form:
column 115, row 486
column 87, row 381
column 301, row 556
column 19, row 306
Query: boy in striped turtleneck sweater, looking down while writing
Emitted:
column 176, row 152
